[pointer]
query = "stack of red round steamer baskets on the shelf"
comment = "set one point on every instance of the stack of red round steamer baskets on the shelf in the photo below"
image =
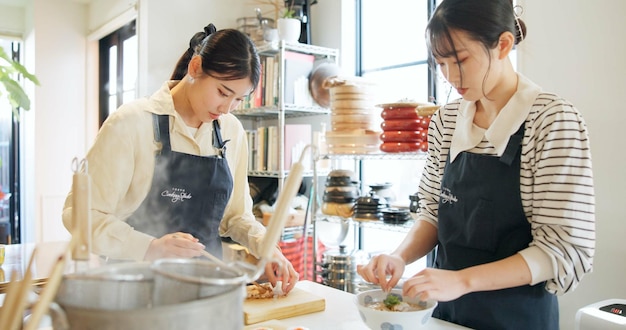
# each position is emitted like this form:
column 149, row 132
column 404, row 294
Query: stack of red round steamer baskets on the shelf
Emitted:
column 405, row 126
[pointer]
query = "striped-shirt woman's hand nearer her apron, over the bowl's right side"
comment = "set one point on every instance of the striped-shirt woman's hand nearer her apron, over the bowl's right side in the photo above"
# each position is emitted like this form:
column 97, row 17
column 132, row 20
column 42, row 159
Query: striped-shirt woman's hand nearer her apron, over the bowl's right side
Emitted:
column 436, row 284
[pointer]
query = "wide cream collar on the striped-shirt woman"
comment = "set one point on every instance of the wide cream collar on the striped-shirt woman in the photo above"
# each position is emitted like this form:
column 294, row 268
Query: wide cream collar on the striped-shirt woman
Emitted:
column 467, row 135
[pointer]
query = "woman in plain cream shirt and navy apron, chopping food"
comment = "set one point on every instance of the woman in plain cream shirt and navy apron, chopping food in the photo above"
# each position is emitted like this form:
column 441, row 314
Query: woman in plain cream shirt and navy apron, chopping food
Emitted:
column 169, row 172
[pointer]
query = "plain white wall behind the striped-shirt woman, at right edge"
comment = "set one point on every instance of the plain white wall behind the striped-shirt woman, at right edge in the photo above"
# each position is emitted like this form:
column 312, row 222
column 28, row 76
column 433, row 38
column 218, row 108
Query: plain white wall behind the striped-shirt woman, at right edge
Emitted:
column 576, row 50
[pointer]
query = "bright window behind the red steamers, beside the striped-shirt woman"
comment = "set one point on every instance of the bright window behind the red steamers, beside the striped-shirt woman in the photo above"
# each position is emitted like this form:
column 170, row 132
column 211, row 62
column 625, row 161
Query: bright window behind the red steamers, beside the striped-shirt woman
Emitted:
column 391, row 51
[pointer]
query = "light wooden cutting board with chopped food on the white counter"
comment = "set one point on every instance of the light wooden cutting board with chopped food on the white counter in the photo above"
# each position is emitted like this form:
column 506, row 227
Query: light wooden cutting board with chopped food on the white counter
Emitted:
column 297, row 302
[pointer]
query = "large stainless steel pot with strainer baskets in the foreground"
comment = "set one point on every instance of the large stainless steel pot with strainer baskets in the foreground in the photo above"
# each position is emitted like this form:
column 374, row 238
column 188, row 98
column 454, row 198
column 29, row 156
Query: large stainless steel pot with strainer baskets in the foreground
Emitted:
column 210, row 296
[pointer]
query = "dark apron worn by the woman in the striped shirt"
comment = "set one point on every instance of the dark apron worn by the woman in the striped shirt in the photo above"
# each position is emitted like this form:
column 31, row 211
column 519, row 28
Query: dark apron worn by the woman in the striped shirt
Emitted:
column 481, row 219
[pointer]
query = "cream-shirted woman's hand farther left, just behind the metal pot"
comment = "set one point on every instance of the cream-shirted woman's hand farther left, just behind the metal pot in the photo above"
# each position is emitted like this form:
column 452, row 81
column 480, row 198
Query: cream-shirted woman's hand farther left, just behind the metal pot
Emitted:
column 176, row 245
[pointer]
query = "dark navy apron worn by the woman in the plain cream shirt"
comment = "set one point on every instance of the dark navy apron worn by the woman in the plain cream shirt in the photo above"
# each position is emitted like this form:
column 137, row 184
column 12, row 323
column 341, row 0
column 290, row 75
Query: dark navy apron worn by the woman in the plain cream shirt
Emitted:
column 188, row 194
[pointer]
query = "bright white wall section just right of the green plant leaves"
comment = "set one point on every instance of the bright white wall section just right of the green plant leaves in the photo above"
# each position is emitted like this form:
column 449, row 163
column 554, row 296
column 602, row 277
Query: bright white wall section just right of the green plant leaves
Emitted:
column 55, row 47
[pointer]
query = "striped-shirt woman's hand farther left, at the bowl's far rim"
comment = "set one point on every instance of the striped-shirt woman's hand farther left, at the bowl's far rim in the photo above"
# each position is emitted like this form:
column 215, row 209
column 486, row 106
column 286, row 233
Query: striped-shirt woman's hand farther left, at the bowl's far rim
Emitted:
column 379, row 267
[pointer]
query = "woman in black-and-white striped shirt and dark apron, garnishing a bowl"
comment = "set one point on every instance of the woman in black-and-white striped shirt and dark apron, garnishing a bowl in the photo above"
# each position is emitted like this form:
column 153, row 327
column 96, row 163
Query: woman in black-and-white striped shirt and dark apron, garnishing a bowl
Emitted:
column 507, row 194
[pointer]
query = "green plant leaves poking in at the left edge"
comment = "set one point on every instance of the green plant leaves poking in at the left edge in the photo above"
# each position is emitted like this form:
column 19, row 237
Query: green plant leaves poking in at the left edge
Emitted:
column 10, row 86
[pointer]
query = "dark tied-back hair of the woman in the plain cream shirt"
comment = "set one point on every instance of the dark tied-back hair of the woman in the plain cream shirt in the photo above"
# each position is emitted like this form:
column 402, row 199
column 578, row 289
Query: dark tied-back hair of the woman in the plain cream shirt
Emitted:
column 228, row 54
